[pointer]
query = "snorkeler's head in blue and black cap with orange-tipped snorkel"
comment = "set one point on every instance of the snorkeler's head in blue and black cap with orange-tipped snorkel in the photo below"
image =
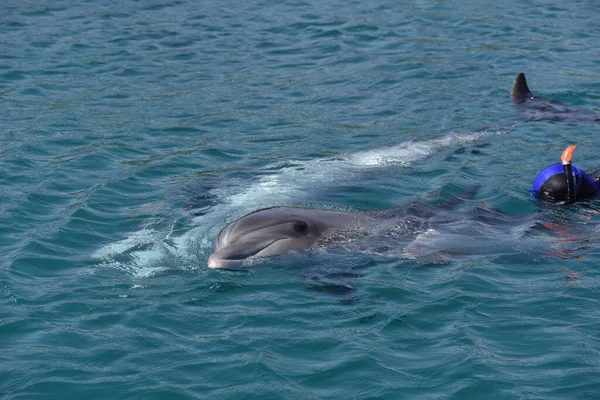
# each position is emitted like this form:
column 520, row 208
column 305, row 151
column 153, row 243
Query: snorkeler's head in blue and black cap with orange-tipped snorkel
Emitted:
column 564, row 183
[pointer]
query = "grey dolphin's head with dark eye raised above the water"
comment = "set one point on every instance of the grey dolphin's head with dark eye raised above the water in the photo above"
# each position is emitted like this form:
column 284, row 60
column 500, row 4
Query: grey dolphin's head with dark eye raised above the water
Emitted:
column 271, row 232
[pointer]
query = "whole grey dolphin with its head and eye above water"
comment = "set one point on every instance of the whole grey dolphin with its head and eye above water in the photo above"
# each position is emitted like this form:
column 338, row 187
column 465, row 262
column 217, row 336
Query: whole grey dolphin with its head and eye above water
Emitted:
column 434, row 233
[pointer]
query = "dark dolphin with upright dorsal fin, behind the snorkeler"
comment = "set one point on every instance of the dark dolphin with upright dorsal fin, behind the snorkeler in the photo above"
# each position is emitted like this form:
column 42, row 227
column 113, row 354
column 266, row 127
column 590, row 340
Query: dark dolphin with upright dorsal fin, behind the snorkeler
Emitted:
column 534, row 108
